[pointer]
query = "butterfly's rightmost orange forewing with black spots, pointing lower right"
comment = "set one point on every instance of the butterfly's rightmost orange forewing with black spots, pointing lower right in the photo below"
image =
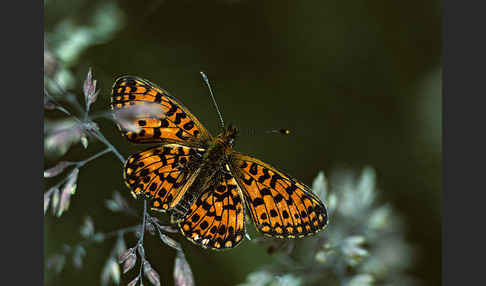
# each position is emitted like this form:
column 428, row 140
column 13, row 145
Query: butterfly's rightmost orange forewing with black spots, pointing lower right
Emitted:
column 280, row 206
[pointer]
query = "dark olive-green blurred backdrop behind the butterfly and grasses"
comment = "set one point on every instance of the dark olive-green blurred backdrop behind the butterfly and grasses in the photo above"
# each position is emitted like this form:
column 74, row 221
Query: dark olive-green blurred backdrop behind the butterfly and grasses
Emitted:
column 358, row 84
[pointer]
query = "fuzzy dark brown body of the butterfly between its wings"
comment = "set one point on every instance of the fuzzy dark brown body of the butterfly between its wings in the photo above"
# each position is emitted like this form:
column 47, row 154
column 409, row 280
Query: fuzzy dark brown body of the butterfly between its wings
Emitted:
column 214, row 161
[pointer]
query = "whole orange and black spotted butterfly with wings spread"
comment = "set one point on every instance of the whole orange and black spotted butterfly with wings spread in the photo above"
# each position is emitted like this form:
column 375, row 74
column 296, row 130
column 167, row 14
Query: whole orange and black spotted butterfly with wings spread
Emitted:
column 201, row 181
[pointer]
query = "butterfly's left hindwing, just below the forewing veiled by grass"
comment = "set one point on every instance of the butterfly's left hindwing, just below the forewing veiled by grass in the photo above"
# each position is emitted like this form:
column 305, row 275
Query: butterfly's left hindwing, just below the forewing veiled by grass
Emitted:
column 162, row 173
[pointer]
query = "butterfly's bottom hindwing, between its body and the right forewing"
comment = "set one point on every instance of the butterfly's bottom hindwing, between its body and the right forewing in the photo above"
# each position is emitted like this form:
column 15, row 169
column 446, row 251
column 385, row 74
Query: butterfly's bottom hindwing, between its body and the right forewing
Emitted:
column 216, row 219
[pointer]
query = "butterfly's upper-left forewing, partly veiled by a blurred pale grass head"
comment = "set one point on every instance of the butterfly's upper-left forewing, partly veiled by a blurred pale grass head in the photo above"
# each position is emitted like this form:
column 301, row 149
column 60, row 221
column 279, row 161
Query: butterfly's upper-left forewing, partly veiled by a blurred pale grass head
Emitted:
column 174, row 123
